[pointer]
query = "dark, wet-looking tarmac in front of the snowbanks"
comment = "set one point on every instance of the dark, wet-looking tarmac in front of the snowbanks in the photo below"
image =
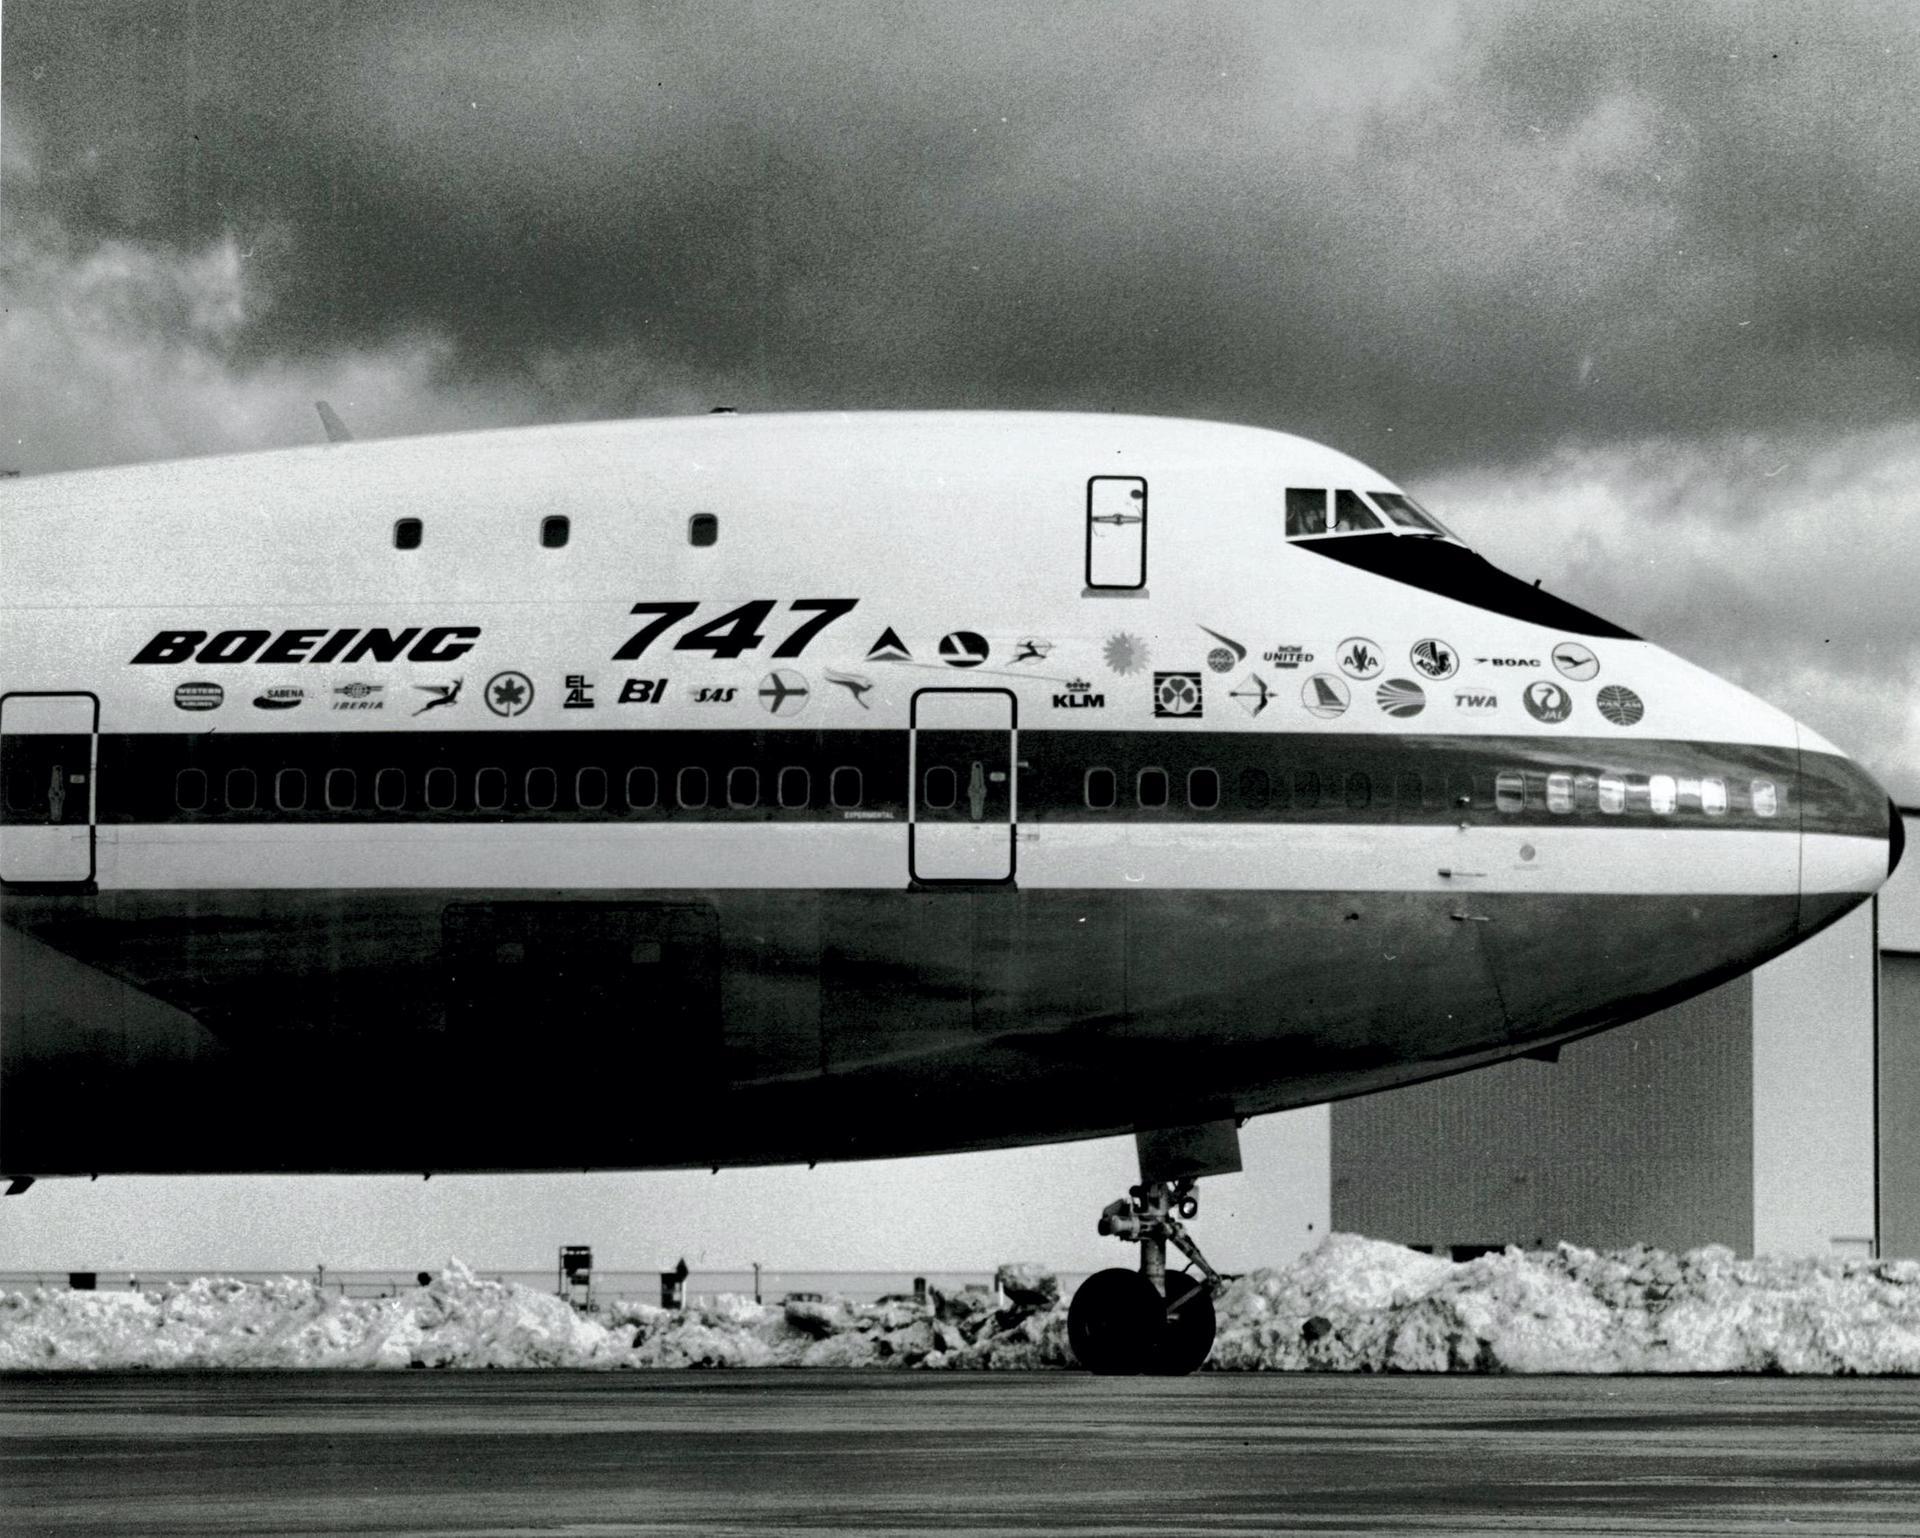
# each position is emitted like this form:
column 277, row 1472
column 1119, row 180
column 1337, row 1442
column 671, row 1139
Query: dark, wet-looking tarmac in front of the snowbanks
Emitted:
column 982, row 1454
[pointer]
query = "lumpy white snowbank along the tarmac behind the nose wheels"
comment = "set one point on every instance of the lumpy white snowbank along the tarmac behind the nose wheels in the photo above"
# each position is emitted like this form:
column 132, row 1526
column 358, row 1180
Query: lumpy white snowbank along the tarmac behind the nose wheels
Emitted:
column 1353, row 1305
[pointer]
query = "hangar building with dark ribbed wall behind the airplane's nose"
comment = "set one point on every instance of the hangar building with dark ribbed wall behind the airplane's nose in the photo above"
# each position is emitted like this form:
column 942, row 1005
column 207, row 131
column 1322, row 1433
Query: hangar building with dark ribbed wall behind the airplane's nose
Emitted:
column 1777, row 1115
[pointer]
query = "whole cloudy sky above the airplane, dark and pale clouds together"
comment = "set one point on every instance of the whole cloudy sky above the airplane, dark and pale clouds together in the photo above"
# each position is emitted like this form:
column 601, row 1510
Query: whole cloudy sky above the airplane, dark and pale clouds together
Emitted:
column 1629, row 293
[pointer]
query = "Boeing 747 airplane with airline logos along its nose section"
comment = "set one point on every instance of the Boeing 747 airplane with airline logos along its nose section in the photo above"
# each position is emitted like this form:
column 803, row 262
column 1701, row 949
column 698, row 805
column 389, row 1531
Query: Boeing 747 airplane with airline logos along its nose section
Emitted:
column 792, row 788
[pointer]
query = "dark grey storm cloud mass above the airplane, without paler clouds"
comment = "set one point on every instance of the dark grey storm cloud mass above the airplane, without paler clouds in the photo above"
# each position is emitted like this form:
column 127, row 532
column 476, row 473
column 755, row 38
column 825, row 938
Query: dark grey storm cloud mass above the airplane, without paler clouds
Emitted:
column 1428, row 235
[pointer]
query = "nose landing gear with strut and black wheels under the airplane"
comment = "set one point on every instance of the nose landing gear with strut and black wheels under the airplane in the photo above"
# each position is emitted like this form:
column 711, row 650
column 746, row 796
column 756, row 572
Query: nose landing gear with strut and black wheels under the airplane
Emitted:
column 1153, row 1322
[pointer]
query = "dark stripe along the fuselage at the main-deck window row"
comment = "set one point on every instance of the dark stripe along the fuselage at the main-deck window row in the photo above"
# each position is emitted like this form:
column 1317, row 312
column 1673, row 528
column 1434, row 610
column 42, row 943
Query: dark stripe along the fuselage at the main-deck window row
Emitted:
column 1264, row 779
